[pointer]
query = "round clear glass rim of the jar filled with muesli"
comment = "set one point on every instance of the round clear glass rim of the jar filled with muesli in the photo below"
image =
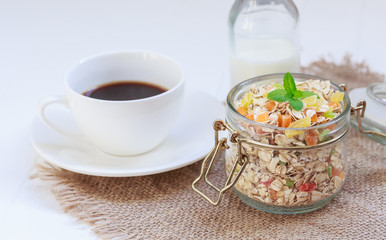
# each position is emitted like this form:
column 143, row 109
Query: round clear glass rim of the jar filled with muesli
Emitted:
column 242, row 85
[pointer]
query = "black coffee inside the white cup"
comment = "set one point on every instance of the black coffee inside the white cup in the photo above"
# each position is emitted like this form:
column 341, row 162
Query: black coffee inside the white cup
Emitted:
column 124, row 90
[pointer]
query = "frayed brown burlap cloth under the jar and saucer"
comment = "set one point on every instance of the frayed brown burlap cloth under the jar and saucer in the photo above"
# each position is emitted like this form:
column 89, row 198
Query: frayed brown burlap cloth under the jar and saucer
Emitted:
column 164, row 206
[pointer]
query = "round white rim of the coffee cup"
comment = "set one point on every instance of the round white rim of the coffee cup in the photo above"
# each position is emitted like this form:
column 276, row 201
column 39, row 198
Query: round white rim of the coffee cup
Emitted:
column 115, row 52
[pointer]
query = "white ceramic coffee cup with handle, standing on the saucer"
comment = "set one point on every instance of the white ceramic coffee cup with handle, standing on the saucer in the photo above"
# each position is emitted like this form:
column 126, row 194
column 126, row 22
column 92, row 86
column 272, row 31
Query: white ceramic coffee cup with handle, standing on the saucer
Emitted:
column 127, row 127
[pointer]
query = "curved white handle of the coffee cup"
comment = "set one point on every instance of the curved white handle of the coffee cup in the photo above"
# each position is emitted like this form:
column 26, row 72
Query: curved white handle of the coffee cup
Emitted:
column 55, row 100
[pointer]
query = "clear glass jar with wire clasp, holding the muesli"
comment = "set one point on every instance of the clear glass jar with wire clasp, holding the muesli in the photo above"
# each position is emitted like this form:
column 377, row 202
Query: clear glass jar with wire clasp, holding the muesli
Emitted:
column 276, row 173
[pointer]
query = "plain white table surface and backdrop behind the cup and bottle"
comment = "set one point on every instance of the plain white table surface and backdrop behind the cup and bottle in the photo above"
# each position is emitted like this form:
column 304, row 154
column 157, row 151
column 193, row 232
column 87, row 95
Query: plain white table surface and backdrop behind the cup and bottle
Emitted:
column 40, row 39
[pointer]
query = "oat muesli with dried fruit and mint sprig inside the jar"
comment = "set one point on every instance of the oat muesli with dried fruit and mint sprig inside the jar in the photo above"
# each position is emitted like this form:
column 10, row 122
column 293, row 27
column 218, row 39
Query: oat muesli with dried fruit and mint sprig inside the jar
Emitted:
column 298, row 128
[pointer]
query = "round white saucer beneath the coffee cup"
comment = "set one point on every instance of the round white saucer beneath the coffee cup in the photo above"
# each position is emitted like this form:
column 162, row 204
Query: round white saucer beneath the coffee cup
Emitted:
column 189, row 141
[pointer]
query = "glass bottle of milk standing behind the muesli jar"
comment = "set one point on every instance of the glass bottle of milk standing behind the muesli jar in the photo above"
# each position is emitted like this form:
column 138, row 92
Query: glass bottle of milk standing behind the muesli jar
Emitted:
column 263, row 38
